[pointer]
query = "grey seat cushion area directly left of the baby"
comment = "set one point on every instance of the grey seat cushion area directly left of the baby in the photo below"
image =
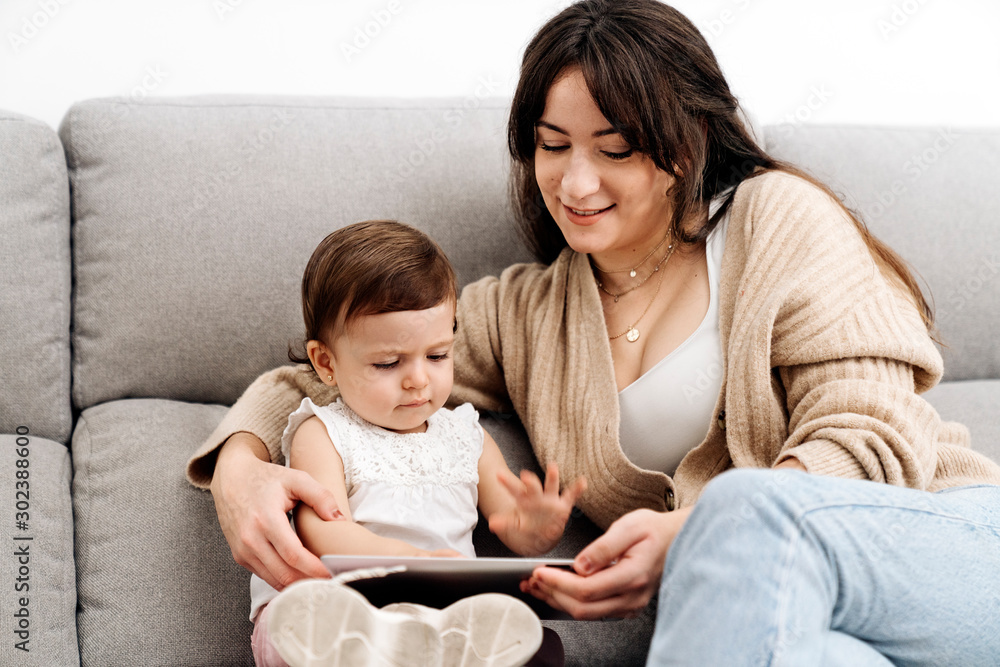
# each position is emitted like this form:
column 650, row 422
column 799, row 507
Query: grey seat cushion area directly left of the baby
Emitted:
column 156, row 581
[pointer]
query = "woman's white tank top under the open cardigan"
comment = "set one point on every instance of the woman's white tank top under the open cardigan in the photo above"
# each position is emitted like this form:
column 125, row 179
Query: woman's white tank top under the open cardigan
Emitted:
column 666, row 412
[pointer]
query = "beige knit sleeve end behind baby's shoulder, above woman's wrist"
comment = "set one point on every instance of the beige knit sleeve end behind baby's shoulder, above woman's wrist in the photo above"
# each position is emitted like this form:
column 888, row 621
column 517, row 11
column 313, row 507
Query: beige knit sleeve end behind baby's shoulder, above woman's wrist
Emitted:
column 263, row 411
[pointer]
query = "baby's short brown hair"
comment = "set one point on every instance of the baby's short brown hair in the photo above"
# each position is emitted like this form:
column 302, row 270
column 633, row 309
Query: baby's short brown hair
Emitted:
column 368, row 268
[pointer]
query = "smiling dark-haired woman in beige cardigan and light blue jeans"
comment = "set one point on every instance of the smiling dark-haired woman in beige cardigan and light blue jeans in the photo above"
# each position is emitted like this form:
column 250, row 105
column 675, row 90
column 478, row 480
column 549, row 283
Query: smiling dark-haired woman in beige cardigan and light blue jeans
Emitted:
column 671, row 243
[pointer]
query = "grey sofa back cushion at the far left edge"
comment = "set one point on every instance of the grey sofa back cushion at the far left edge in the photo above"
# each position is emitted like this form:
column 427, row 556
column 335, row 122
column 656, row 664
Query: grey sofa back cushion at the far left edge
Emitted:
column 35, row 274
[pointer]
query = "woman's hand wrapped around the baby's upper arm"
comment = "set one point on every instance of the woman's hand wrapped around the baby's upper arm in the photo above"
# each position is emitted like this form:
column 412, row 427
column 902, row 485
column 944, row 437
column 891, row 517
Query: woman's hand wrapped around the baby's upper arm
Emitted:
column 252, row 497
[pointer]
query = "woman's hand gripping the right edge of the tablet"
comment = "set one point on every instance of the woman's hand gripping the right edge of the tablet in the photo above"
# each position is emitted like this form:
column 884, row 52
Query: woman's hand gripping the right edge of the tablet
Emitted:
column 618, row 573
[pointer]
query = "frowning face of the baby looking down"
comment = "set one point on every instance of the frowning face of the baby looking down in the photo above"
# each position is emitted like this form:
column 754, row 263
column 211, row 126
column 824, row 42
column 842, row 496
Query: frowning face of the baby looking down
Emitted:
column 395, row 369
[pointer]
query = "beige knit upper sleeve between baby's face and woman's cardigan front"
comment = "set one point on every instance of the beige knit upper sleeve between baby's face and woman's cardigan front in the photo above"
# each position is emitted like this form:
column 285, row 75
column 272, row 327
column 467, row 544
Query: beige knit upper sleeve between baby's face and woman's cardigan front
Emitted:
column 479, row 376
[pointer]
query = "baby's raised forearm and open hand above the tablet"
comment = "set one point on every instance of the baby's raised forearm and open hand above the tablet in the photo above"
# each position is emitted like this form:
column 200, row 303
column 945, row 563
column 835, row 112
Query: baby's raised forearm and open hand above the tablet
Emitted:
column 526, row 515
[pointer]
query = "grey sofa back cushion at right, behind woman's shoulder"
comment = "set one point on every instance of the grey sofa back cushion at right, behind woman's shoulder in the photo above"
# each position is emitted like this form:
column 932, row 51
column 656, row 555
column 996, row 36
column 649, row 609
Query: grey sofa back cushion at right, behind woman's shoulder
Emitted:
column 932, row 195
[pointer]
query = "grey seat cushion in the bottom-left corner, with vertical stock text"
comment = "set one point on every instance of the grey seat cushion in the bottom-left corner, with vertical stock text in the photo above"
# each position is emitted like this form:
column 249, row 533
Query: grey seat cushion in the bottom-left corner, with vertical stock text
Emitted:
column 38, row 596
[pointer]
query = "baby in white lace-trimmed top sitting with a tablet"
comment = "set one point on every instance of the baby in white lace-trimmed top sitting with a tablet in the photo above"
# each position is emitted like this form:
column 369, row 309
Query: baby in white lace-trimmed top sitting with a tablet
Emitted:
column 379, row 302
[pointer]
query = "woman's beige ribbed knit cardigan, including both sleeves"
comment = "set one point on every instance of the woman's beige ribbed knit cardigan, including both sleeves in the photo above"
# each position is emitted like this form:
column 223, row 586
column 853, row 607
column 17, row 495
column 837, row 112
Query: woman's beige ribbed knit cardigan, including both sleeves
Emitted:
column 824, row 360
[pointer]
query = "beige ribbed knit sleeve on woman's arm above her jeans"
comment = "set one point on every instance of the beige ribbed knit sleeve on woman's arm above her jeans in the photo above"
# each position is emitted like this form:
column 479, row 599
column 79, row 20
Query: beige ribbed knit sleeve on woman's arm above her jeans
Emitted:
column 847, row 349
